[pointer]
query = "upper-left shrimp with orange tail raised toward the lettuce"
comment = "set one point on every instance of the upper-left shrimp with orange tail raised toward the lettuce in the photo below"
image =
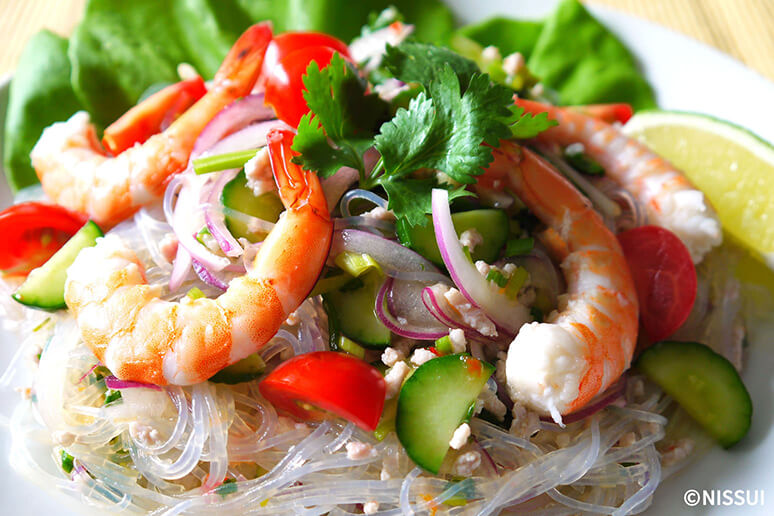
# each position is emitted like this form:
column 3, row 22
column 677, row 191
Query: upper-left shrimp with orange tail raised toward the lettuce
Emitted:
column 77, row 173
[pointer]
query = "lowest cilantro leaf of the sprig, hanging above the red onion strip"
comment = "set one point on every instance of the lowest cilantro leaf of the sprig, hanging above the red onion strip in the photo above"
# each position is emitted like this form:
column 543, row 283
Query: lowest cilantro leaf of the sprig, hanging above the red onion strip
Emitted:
column 411, row 199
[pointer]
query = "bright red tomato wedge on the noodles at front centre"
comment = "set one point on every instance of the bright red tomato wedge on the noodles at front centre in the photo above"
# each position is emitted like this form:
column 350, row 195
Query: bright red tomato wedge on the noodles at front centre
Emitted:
column 308, row 385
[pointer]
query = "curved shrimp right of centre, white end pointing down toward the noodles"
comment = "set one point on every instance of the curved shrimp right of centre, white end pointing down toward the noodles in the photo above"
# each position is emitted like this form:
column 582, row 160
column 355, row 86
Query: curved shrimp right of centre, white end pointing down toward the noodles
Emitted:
column 584, row 346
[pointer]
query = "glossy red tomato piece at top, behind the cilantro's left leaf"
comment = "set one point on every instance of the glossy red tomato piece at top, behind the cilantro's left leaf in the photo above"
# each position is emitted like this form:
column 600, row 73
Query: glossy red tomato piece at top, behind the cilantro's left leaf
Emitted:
column 284, row 84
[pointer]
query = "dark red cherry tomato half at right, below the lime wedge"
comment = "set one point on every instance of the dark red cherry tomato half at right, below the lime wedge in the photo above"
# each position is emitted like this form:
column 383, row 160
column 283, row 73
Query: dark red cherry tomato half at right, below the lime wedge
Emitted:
column 664, row 277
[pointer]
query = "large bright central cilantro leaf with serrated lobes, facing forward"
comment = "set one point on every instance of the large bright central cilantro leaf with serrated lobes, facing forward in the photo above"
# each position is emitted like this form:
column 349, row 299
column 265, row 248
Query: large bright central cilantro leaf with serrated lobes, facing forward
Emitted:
column 445, row 132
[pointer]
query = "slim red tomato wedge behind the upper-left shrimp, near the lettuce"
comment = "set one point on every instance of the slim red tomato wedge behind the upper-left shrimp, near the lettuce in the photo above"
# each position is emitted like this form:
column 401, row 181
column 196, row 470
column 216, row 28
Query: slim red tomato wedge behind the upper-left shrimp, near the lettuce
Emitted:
column 152, row 115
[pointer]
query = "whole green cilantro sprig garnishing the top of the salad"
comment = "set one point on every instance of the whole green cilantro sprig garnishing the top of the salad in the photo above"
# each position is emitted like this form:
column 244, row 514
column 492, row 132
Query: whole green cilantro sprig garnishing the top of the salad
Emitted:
column 451, row 126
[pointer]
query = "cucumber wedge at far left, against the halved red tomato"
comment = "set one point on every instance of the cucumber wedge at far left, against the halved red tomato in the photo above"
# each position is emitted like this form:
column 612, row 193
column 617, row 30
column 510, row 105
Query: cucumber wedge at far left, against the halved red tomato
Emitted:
column 44, row 287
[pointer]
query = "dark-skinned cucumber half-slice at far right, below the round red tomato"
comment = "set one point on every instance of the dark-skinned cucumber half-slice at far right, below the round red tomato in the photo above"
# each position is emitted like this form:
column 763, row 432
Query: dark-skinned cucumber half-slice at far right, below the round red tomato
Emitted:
column 704, row 383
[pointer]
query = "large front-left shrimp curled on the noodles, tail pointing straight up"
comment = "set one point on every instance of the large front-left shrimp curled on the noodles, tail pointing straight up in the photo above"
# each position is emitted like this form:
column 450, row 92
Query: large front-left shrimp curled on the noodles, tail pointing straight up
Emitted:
column 141, row 337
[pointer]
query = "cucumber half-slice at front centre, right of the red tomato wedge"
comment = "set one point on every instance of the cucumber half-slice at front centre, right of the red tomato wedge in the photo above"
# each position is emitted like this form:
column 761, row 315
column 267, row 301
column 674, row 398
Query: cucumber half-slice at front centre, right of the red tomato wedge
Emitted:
column 434, row 401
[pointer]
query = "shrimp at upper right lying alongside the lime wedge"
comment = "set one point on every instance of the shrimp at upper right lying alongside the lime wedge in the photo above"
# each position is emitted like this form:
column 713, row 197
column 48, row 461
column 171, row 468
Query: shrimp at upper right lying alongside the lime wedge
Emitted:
column 671, row 201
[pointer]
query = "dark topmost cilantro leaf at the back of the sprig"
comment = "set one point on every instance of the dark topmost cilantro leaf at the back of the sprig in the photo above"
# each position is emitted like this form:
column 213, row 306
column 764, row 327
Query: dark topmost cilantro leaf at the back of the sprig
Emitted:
column 422, row 63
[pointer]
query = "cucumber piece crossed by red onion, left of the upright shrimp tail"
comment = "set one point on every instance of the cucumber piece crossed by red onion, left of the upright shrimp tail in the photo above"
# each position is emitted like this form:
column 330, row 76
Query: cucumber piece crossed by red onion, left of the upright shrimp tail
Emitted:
column 238, row 198
